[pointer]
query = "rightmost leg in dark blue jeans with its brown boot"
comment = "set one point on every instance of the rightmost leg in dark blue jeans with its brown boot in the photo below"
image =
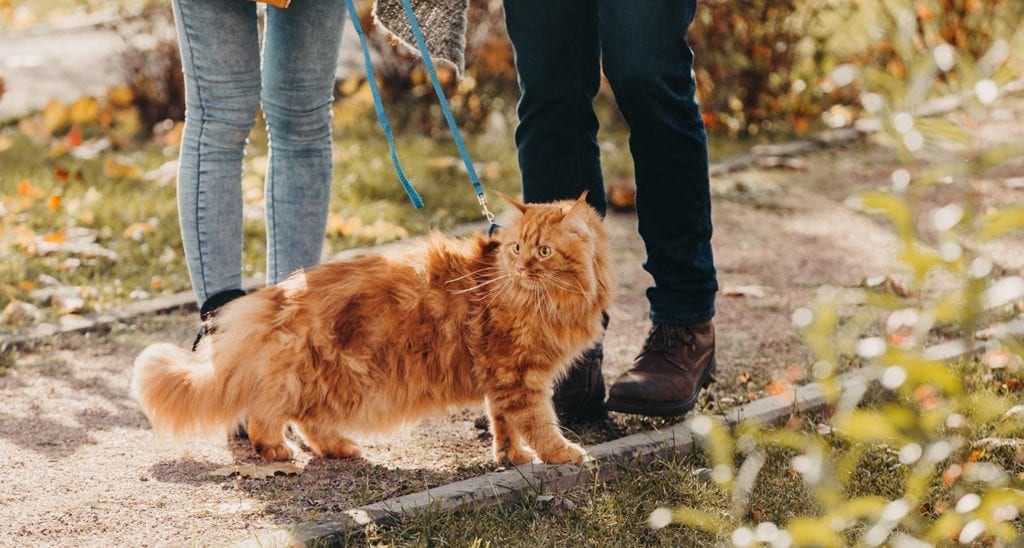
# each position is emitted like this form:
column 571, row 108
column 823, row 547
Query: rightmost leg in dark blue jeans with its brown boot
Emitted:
column 650, row 67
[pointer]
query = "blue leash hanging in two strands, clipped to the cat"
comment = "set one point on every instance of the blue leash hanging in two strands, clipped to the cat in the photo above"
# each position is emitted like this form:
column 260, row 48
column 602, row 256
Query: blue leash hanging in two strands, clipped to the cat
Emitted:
column 421, row 45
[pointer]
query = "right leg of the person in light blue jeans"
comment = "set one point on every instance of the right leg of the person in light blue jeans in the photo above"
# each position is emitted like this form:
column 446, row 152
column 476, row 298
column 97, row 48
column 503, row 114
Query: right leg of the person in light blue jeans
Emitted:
column 301, row 55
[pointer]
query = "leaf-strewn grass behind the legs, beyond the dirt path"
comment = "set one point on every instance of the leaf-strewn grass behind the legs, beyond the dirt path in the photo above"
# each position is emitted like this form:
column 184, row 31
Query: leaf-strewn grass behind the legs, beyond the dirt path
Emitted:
column 368, row 204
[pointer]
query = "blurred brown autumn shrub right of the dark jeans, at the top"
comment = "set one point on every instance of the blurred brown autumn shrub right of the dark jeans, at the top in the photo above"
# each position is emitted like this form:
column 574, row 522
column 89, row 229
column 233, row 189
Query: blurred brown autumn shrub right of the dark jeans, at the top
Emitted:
column 763, row 64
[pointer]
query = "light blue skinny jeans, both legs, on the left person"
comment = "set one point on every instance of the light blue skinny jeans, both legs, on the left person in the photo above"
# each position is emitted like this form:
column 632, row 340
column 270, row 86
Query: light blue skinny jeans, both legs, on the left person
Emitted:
column 226, row 85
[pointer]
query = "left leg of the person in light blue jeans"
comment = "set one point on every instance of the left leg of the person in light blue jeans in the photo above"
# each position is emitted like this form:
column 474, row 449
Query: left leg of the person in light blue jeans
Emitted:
column 220, row 53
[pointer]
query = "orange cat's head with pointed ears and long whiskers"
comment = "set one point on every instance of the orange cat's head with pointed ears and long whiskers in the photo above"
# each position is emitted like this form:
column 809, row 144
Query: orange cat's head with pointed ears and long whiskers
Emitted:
column 559, row 247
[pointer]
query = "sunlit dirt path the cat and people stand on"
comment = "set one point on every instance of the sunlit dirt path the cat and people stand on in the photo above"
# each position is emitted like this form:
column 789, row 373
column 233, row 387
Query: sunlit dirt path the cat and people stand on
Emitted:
column 80, row 466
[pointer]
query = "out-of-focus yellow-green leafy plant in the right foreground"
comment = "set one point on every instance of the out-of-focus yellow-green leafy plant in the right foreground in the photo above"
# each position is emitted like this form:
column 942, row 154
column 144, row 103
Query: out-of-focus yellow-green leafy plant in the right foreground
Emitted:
column 944, row 401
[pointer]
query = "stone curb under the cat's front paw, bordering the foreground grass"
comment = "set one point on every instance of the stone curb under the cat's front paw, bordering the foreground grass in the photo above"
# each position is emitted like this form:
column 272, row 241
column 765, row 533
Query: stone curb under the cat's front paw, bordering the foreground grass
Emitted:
column 533, row 480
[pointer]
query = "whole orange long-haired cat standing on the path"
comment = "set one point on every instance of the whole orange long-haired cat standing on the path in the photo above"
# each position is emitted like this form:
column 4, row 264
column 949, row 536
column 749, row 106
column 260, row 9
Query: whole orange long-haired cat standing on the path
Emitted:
column 368, row 346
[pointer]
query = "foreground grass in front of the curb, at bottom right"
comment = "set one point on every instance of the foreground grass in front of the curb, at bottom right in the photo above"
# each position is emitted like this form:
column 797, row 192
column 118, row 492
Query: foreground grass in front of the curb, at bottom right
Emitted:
column 616, row 513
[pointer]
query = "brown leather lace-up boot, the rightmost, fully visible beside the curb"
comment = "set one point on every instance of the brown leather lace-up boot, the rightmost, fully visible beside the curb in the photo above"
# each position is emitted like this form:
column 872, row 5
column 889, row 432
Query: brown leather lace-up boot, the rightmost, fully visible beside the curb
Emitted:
column 675, row 364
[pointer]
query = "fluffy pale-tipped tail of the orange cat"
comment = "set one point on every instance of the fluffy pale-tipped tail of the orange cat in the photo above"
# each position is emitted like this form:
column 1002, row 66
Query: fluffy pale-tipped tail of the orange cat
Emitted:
column 183, row 394
